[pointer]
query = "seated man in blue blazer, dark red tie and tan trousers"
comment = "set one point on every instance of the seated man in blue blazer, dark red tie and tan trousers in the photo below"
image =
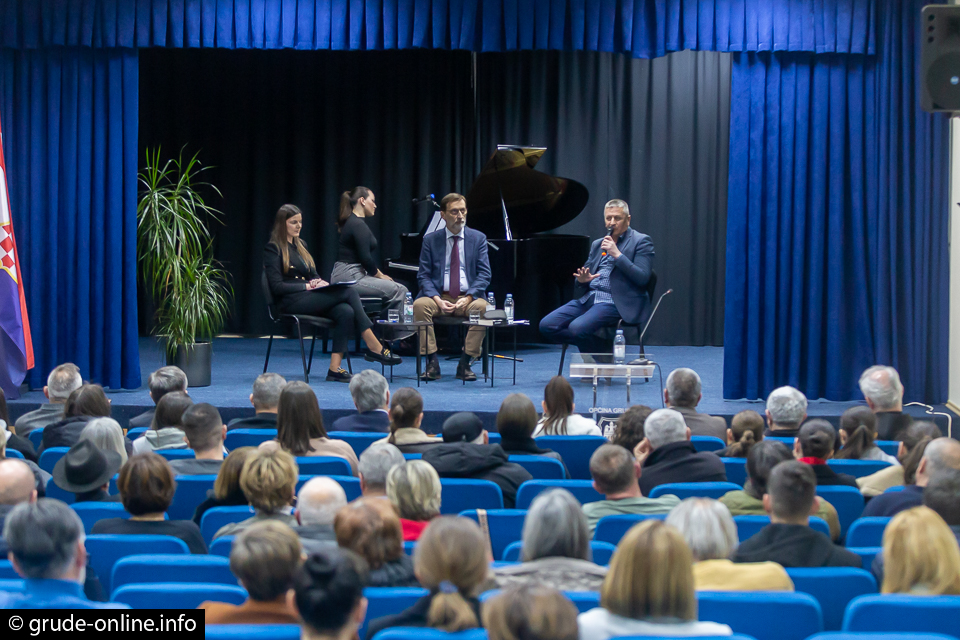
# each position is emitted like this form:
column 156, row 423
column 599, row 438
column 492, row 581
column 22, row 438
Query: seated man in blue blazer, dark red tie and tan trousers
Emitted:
column 460, row 251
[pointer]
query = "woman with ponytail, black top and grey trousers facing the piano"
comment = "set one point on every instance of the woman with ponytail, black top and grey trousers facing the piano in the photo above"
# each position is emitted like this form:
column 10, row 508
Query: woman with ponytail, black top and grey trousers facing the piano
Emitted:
column 355, row 262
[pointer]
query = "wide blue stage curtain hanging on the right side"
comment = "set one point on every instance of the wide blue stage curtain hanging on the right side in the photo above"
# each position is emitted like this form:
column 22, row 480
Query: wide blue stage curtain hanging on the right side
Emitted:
column 836, row 221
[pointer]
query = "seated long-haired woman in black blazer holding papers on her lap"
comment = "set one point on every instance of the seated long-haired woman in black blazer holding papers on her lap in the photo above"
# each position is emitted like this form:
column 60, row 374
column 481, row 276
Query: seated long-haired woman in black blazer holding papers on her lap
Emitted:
column 292, row 275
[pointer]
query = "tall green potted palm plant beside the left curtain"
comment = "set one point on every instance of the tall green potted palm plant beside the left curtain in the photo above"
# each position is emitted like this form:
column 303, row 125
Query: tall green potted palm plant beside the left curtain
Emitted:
column 191, row 291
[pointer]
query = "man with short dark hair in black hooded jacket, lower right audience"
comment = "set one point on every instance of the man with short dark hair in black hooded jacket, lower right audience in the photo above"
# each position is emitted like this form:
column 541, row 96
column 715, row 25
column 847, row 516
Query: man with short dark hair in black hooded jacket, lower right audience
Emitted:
column 788, row 540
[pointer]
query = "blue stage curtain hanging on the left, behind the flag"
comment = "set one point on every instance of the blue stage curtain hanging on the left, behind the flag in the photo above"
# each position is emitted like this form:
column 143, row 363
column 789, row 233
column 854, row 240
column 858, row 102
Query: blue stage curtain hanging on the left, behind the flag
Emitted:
column 70, row 141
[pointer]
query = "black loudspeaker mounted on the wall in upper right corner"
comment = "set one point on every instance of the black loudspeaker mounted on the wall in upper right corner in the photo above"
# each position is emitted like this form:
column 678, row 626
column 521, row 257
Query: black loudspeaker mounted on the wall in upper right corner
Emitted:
column 940, row 58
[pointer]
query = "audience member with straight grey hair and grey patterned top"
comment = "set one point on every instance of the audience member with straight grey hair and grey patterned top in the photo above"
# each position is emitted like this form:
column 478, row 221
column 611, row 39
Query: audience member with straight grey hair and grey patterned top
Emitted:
column 556, row 547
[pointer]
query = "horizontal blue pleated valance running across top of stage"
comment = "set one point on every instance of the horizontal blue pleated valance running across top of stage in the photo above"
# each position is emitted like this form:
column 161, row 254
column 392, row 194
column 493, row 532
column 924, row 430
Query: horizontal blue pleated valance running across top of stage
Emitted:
column 643, row 28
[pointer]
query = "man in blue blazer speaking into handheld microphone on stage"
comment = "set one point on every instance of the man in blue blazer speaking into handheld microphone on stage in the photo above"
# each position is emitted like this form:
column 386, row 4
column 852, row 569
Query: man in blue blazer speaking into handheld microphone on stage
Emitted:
column 611, row 285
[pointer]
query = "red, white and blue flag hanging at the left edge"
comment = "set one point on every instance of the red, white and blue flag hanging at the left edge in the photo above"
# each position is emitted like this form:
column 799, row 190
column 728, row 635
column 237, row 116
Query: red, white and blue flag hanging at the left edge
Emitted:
column 16, row 348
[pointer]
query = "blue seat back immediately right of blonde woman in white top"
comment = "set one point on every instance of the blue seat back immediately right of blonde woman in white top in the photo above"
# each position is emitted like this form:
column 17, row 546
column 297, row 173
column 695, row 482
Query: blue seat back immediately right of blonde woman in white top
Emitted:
column 765, row 615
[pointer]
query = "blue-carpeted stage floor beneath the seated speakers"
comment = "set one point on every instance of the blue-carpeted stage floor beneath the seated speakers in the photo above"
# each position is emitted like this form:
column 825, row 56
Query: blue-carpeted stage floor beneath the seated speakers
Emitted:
column 238, row 361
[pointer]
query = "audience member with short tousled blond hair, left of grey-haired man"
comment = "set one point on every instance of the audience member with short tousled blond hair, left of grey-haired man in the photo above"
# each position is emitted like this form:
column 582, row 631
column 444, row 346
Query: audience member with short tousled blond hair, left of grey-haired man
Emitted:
column 269, row 481
